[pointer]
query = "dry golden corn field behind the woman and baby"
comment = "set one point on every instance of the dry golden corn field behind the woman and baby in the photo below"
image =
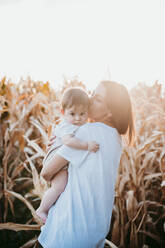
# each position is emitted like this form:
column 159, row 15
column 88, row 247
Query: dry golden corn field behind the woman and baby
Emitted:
column 27, row 111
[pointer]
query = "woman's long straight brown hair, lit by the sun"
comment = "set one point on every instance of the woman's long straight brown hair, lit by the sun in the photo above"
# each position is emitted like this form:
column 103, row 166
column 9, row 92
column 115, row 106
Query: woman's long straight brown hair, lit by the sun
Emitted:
column 119, row 103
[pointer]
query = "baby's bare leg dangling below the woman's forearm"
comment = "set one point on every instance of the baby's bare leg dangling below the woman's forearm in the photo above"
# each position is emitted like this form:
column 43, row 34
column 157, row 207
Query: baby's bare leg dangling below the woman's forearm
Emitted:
column 58, row 185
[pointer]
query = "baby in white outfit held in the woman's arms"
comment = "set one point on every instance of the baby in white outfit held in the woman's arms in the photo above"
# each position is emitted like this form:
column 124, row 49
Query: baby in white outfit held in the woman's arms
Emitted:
column 74, row 110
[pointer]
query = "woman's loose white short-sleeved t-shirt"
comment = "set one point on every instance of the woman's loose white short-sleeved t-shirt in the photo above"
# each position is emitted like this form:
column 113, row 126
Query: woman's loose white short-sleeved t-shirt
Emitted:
column 81, row 216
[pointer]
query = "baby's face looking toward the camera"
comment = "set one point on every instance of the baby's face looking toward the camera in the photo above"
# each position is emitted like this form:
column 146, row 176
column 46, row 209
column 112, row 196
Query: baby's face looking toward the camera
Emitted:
column 76, row 115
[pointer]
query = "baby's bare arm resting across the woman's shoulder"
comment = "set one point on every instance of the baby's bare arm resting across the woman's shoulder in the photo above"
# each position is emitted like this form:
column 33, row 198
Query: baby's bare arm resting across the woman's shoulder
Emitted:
column 71, row 141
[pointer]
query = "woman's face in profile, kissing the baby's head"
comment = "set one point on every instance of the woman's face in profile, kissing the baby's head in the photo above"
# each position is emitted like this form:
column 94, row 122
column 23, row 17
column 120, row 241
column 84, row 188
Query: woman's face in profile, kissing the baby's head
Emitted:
column 98, row 109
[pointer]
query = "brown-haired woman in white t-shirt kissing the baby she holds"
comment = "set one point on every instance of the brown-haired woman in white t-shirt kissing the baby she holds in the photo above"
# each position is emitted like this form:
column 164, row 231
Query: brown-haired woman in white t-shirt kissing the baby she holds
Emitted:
column 81, row 216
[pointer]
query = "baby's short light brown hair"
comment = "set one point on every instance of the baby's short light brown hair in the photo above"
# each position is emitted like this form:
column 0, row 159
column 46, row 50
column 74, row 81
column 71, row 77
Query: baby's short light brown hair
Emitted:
column 74, row 97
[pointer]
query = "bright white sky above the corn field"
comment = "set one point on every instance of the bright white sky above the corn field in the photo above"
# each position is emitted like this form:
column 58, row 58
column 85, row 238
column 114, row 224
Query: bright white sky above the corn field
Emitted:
column 94, row 39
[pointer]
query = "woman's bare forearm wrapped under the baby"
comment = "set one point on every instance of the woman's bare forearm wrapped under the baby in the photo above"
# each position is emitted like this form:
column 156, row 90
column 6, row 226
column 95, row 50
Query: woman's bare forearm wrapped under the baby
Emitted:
column 52, row 167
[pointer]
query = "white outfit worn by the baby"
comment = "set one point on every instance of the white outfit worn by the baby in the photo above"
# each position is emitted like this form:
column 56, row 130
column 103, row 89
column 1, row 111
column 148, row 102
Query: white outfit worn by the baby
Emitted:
column 62, row 129
